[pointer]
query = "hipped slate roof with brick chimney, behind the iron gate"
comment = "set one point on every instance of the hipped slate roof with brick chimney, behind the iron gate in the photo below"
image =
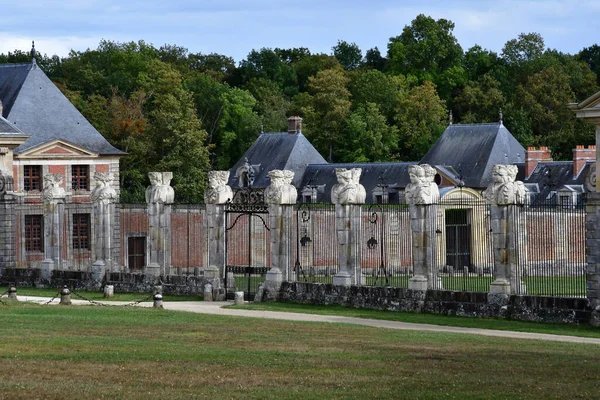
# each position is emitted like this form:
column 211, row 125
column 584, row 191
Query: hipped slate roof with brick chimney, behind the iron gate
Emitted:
column 278, row 151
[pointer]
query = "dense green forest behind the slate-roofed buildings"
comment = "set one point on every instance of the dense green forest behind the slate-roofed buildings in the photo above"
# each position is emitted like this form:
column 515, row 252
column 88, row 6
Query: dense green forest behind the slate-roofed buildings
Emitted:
column 173, row 110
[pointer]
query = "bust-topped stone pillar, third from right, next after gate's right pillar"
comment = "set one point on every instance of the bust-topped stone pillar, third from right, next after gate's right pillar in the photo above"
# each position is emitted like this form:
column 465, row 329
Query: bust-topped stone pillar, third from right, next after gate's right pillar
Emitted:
column 347, row 195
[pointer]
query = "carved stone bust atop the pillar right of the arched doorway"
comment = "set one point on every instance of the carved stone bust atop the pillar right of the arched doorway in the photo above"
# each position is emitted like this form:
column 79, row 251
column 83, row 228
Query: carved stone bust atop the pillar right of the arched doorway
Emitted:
column 504, row 190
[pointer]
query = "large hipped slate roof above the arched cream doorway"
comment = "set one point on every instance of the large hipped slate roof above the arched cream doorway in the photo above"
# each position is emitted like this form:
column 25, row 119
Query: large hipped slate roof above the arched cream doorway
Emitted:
column 473, row 149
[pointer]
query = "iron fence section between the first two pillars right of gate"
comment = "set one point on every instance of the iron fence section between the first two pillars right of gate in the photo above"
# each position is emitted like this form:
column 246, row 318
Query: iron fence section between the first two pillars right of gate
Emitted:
column 316, row 245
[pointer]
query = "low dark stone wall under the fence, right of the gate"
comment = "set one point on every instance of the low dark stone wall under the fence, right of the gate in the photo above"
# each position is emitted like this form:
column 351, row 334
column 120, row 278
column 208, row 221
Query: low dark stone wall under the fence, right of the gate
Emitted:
column 464, row 304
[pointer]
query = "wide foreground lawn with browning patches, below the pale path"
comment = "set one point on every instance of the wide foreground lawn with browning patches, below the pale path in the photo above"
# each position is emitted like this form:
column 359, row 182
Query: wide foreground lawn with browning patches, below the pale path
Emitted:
column 134, row 353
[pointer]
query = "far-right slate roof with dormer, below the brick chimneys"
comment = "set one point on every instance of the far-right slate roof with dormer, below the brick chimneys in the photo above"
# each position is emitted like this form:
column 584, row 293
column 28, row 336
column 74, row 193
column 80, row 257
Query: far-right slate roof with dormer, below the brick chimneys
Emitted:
column 549, row 177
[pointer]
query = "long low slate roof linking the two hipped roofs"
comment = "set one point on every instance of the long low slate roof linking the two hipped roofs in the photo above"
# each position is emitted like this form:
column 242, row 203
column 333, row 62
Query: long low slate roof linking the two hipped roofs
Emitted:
column 395, row 175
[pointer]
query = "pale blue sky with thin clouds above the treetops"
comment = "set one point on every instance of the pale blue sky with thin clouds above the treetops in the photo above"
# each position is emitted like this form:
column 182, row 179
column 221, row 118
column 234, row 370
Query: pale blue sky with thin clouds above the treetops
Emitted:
column 235, row 27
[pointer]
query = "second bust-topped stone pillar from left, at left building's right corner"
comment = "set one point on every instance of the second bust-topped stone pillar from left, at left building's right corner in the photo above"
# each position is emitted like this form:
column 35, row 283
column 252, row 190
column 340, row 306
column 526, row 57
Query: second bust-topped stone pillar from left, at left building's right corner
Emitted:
column 103, row 197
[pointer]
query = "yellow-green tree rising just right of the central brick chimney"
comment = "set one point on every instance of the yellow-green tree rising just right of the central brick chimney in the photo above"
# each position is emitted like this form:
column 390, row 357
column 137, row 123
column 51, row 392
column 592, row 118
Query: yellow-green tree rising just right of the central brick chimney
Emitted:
column 328, row 109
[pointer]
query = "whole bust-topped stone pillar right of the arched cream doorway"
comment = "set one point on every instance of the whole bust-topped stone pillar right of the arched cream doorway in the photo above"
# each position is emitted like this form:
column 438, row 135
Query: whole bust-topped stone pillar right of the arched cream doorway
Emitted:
column 506, row 198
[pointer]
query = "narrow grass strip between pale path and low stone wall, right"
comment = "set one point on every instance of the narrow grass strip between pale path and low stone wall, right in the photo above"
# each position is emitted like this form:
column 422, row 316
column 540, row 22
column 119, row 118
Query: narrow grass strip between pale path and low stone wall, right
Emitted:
column 434, row 319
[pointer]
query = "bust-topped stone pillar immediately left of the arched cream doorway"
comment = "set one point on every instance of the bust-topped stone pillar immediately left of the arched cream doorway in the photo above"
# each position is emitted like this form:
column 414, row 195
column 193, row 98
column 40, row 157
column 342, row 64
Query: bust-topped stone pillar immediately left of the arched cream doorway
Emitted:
column 422, row 195
